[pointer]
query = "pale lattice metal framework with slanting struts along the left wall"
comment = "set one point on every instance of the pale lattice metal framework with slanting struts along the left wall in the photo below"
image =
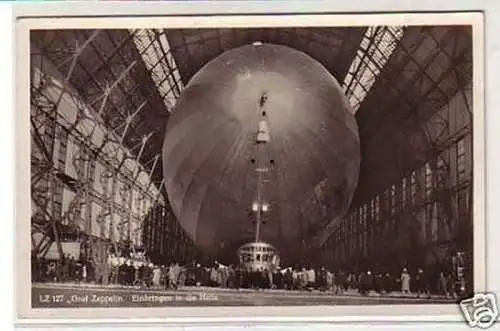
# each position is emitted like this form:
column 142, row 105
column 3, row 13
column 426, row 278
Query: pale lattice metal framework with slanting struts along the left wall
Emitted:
column 53, row 130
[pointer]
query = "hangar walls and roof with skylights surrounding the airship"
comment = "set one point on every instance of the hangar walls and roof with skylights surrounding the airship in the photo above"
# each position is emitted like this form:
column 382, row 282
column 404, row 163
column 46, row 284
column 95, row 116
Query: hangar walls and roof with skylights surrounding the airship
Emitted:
column 100, row 101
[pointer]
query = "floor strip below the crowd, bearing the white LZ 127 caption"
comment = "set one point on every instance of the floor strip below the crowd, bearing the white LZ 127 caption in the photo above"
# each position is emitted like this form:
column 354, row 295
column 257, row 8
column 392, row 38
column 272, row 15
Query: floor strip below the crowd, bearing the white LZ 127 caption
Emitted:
column 74, row 295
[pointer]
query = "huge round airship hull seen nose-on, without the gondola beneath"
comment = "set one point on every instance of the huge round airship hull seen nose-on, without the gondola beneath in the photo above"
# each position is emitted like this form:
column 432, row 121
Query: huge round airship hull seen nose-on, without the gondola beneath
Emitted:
column 262, row 145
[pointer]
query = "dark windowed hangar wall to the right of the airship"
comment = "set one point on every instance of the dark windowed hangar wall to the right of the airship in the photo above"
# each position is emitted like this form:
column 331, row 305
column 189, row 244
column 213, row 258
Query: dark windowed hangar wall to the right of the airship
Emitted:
column 426, row 216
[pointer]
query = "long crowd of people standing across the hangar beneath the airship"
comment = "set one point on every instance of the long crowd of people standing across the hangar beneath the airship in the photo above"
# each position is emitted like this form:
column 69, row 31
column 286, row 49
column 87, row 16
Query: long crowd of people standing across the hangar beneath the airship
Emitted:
column 132, row 272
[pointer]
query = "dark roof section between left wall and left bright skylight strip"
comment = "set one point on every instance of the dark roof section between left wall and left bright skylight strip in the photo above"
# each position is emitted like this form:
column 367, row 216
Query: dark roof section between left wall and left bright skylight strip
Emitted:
column 112, row 78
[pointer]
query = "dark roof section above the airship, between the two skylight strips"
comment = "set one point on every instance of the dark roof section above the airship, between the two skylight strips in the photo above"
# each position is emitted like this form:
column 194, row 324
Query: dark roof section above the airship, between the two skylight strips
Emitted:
column 335, row 48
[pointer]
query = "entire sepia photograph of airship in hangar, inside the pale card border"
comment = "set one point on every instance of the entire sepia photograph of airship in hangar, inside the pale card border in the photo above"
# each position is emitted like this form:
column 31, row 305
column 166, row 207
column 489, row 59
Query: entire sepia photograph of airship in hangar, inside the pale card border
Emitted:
column 202, row 166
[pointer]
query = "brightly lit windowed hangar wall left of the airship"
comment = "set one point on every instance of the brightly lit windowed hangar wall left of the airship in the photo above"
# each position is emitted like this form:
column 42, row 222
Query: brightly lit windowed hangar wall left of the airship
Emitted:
column 84, row 183
